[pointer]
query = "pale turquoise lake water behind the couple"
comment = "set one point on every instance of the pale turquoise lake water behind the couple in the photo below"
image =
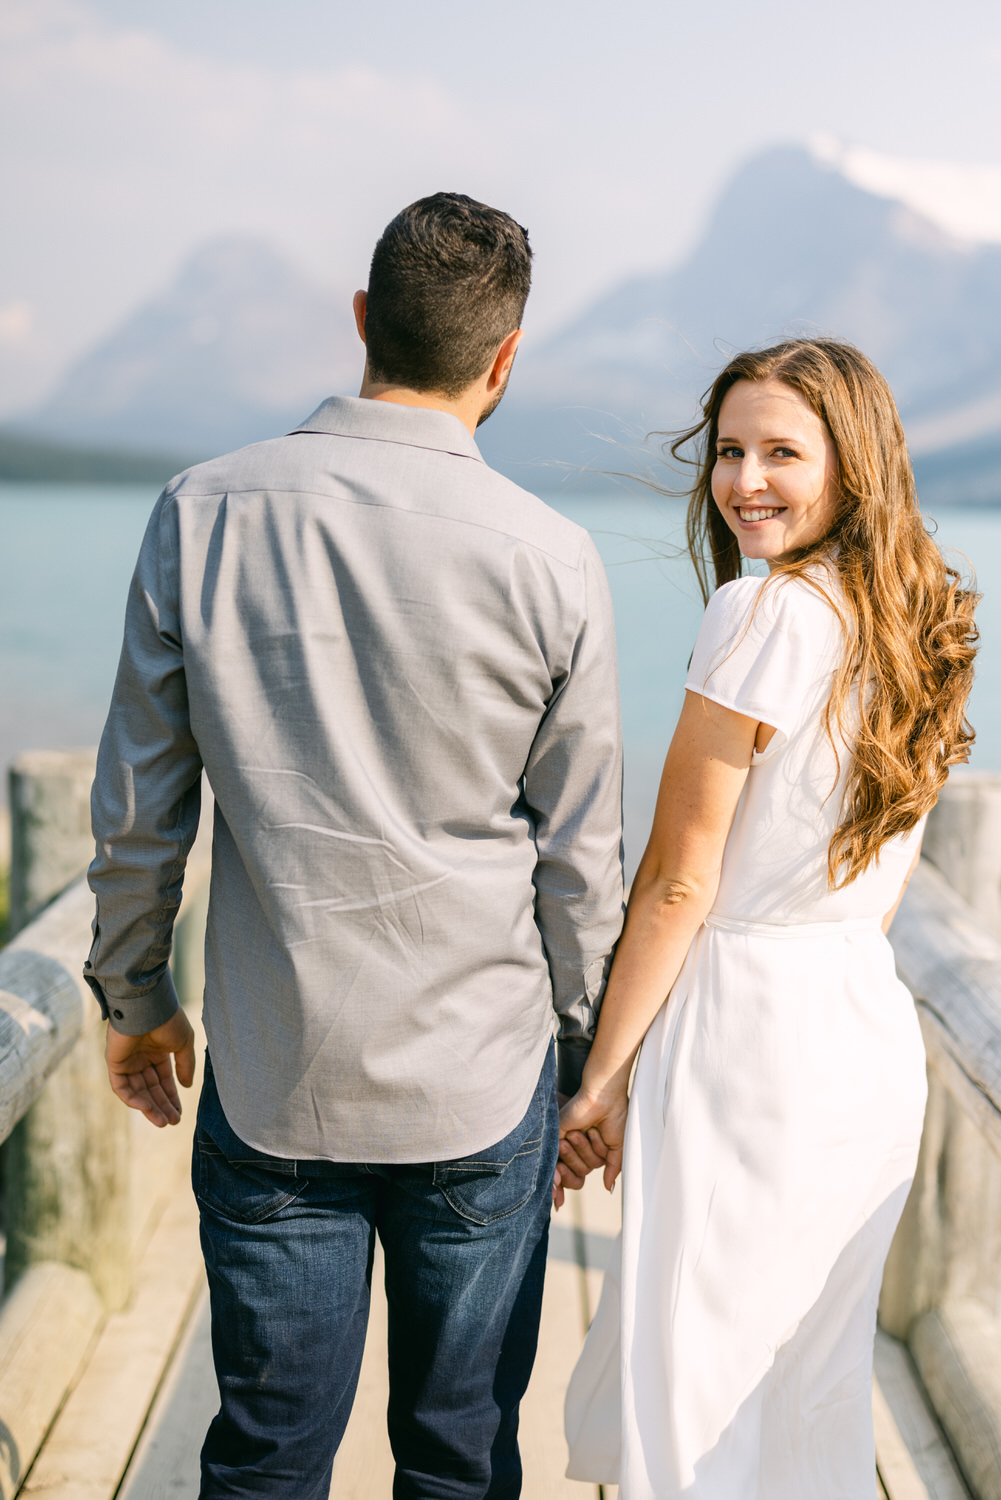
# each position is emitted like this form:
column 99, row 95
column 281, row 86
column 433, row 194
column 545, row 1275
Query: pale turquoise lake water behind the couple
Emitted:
column 67, row 556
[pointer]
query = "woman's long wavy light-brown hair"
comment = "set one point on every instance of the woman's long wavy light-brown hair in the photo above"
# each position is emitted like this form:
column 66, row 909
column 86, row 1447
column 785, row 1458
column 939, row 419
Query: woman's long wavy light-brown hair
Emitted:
column 909, row 623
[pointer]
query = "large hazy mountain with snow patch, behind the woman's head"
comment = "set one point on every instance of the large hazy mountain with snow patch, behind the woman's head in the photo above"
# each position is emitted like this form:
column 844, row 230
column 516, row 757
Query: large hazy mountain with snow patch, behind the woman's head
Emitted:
column 793, row 247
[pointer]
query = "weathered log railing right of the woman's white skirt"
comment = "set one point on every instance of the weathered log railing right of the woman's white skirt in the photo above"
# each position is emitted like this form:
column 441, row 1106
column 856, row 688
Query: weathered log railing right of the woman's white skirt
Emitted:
column 942, row 1291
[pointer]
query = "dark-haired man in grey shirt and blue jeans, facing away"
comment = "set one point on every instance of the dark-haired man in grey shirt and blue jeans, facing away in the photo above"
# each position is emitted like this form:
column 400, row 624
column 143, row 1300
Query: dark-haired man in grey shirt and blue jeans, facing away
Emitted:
column 398, row 671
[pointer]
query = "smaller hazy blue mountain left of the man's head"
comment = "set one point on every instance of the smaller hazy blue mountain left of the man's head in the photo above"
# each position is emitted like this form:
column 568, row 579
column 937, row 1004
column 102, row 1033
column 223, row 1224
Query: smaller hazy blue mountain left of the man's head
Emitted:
column 241, row 347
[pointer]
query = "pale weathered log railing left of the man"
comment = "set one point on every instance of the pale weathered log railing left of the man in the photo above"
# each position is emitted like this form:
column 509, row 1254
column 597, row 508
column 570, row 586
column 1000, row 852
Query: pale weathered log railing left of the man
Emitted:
column 85, row 1178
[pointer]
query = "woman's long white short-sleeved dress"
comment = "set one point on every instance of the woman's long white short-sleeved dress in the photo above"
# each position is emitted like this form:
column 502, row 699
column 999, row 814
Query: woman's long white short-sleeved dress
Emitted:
column 774, row 1129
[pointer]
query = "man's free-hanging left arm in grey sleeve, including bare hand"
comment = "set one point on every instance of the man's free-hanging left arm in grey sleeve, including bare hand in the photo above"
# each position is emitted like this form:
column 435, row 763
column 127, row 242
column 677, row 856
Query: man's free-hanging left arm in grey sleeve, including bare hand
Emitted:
column 145, row 812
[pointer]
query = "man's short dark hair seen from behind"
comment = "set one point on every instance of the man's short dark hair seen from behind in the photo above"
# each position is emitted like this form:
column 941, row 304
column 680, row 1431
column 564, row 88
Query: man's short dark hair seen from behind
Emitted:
column 449, row 283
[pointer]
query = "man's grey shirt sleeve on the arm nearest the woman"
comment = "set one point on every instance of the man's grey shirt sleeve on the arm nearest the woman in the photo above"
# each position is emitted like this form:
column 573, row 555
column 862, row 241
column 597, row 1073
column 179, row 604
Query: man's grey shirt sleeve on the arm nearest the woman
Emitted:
column 574, row 790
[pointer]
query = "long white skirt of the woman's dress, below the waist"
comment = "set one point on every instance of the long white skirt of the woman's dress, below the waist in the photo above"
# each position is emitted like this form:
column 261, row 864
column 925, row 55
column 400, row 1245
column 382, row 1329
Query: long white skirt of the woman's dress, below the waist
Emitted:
column 774, row 1133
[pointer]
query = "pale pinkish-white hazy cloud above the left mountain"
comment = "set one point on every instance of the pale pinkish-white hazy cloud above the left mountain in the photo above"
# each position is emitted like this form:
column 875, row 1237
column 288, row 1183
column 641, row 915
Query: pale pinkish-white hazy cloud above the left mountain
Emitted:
column 124, row 152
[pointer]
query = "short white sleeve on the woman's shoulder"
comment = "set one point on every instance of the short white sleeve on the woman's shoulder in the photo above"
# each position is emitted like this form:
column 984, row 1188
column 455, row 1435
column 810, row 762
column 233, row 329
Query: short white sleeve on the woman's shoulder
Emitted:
column 768, row 650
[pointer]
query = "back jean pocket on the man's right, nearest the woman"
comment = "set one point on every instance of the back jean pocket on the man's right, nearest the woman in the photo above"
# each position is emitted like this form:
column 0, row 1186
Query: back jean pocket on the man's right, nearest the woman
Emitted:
column 496, row 1183
